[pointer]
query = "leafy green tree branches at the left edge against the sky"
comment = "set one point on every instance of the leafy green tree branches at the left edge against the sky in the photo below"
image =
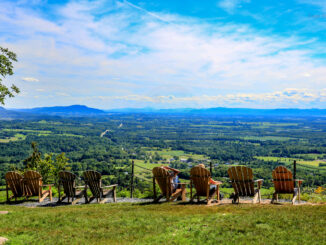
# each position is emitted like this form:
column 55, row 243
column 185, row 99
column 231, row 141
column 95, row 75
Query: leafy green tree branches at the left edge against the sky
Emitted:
column 6, row 69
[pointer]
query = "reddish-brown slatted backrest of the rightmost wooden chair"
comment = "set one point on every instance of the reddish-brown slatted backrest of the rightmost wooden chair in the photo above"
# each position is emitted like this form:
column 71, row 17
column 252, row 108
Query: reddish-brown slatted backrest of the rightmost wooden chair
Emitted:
column 283, row 180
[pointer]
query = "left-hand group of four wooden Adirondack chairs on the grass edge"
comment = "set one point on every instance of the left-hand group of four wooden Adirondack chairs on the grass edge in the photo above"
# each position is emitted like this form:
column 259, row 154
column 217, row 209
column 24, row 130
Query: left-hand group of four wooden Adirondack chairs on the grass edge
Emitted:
column 30, row 184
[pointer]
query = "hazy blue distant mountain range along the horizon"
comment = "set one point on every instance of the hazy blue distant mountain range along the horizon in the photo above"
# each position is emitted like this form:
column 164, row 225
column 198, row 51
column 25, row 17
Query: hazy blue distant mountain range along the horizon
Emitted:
column 84, row 111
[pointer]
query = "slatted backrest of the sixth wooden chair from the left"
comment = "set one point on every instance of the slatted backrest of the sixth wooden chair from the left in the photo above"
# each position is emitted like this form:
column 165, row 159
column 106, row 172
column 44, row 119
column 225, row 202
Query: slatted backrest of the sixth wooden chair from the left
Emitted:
column 200, row 177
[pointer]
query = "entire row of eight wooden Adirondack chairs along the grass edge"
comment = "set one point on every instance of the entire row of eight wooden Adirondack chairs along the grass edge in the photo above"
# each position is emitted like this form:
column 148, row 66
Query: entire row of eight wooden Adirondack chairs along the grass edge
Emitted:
column 30, row 184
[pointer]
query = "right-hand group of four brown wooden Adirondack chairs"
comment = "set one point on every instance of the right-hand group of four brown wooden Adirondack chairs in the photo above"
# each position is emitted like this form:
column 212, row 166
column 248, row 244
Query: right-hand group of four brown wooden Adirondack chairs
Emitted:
column 241, row 178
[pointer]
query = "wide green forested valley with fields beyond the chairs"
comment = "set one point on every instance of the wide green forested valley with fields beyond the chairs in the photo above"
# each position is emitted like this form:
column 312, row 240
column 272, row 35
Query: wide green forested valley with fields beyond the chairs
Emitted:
column 109, row 143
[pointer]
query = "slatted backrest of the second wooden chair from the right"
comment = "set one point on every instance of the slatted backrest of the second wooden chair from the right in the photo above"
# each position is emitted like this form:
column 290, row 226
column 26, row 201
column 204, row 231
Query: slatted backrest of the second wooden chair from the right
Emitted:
column 242, row 180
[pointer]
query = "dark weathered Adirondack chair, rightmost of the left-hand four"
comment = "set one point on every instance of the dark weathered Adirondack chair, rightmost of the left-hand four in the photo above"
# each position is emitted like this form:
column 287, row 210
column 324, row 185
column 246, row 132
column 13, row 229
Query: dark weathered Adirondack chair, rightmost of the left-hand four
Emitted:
column 93, row 180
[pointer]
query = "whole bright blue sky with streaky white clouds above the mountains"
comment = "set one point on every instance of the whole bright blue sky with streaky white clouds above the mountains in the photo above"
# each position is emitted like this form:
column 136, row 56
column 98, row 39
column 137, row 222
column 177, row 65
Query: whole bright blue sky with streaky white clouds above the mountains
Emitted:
column 167, row 54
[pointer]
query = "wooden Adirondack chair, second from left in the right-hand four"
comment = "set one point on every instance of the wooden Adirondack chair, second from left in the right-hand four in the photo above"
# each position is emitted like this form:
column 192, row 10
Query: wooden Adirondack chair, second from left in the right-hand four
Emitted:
column 199, row 178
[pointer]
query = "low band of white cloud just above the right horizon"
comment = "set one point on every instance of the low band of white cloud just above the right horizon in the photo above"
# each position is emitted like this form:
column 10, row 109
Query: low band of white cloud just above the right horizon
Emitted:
column 293, row 97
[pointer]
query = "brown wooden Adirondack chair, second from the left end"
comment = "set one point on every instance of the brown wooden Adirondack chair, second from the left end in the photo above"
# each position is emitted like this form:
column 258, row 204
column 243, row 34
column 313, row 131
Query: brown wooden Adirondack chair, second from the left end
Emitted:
column 34, row 186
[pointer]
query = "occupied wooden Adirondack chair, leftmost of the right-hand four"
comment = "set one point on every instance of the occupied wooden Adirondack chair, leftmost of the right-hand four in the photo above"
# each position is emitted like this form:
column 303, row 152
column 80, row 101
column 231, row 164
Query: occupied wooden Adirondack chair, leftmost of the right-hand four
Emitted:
column 162, row 177
